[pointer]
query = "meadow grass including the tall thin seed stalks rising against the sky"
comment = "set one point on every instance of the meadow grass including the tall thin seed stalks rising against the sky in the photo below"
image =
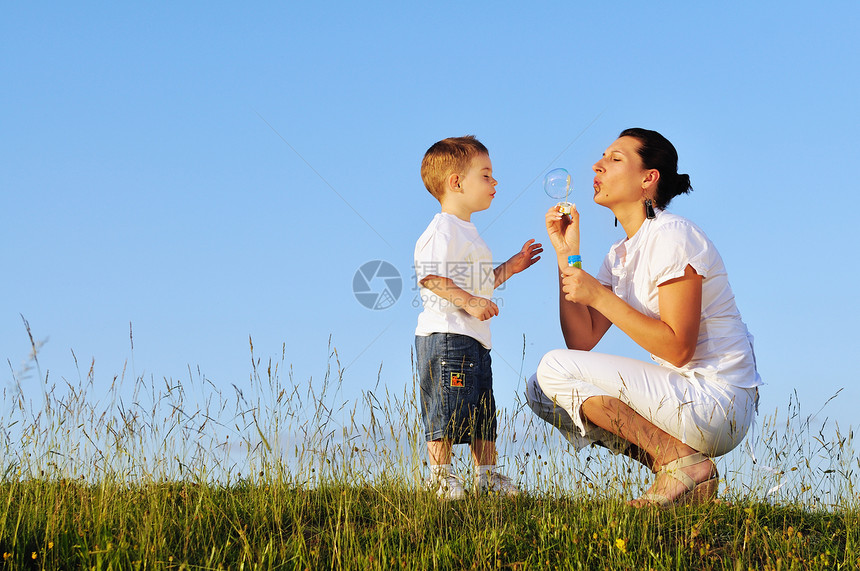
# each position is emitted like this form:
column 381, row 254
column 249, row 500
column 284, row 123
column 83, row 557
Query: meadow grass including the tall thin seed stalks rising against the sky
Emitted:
column 162, row 474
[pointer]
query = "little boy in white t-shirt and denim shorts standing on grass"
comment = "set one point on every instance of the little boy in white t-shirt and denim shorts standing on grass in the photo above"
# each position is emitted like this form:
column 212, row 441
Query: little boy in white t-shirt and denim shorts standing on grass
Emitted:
column 454, row 270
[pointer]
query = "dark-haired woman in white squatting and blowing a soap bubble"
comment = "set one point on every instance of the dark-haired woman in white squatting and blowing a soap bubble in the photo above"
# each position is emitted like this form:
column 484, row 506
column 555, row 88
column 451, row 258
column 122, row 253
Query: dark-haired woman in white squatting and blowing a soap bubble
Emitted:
column 666, row 287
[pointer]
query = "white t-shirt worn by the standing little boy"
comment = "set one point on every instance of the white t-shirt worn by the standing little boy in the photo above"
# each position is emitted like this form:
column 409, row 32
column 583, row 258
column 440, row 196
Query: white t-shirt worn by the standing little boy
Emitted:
column 452, row 248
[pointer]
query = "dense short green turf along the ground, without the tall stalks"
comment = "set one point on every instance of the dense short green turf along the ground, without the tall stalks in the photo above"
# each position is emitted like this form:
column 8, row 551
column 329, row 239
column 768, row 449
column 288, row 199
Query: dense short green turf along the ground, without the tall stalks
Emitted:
column 271, row 525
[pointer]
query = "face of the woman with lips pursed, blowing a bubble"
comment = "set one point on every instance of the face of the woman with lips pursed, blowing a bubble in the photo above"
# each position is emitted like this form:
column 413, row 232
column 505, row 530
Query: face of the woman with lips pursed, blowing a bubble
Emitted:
column 619, row 174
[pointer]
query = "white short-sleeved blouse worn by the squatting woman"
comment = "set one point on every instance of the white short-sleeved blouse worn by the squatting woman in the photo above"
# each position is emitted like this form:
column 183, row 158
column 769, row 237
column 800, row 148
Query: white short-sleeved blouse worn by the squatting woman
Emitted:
column 660, row 251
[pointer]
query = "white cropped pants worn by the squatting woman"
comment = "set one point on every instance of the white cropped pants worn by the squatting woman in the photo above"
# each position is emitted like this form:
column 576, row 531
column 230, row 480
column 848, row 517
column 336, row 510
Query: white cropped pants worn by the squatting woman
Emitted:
column 710, row 417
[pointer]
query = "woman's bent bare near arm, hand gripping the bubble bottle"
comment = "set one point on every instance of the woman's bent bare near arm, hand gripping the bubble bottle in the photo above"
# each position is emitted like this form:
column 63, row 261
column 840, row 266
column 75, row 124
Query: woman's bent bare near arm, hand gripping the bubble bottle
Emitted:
column 672, row 337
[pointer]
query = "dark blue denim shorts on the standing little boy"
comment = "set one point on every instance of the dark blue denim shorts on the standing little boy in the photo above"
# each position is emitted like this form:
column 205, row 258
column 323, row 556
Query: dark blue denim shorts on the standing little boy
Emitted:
column 456, row 382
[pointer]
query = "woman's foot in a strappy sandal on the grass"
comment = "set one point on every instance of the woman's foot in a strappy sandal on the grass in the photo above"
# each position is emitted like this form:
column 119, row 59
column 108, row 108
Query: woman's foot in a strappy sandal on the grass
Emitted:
column 692, row 479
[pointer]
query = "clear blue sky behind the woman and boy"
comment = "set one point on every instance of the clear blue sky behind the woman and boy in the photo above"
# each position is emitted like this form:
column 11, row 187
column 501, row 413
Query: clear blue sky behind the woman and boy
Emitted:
column 210, row 172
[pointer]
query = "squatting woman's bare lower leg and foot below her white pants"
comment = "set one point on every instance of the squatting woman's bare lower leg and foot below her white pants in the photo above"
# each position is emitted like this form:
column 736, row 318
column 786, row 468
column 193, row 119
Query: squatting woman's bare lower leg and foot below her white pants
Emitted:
column 658, row 446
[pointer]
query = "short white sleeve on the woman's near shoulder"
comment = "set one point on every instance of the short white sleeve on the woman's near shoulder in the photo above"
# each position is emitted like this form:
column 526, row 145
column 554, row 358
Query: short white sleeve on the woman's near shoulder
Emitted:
column 677, row 245
